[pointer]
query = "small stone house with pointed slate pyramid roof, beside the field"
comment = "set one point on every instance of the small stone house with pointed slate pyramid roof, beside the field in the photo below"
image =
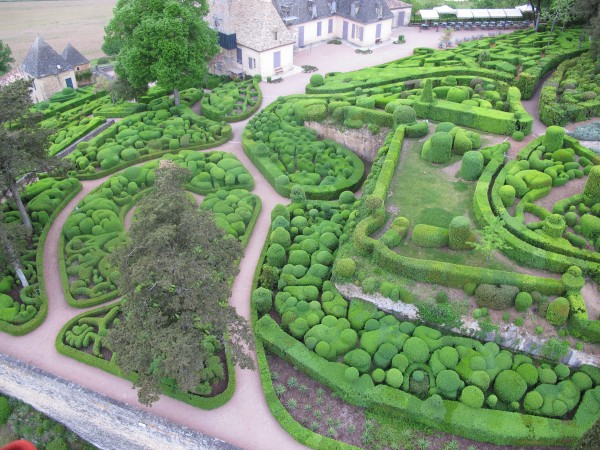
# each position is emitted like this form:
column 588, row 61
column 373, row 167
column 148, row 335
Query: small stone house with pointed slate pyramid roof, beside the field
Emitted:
column 47, row 70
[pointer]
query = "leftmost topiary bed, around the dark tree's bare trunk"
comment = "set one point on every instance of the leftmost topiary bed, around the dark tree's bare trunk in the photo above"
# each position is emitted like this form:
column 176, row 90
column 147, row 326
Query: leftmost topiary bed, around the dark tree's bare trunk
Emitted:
column 22, row 310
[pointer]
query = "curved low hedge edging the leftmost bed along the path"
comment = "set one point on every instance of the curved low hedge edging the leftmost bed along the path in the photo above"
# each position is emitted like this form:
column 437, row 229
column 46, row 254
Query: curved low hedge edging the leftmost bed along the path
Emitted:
column 20, row 330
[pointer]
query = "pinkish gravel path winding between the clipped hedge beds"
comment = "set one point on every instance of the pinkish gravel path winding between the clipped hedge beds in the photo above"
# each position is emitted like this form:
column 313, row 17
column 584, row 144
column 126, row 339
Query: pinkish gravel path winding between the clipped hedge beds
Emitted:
column 245, row 420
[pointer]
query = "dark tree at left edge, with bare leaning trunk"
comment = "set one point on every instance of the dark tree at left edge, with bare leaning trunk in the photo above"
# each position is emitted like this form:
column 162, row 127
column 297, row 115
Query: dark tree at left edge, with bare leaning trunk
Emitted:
column 22, row 142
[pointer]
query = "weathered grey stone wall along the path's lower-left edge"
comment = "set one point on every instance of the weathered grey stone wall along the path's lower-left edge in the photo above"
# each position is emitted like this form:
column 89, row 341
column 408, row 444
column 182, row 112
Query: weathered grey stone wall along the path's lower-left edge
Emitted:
column 102, row 421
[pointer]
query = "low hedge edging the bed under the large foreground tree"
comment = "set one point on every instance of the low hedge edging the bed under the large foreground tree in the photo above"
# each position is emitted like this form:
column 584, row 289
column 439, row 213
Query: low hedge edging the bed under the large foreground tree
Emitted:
column 112, row 368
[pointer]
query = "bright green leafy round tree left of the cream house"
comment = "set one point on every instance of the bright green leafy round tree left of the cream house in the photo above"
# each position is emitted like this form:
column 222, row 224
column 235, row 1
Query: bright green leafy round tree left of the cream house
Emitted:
column 166, row 41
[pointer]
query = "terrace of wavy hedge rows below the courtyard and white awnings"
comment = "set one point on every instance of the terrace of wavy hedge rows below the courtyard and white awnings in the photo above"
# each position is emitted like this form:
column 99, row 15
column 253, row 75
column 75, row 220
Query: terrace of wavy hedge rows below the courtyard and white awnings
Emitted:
column 525, row 54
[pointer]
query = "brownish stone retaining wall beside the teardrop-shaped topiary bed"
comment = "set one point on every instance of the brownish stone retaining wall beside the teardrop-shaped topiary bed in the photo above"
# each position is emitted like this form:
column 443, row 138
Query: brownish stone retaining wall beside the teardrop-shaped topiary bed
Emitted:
column 361, row 141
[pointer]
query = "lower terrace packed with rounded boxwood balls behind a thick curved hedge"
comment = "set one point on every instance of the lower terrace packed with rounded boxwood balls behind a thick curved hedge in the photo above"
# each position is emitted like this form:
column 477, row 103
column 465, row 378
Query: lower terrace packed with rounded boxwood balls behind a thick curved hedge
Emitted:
column 374, row 360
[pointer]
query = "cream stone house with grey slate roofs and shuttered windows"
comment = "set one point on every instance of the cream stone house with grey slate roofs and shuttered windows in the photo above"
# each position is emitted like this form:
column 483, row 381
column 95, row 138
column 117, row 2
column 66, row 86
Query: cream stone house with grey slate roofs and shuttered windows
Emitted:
column 259, row 36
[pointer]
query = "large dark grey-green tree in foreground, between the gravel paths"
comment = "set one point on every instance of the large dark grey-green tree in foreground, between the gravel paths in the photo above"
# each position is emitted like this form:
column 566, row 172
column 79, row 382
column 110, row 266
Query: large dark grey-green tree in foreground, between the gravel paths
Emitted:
column 175, row 275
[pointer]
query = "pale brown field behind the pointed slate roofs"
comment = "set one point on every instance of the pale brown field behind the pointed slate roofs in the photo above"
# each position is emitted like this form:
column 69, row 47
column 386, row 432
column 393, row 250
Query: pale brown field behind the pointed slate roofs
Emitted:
column 80, row 22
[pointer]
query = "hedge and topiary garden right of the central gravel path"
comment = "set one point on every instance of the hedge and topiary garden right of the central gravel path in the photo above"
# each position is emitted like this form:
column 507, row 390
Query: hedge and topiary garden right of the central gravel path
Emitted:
column 377, row 360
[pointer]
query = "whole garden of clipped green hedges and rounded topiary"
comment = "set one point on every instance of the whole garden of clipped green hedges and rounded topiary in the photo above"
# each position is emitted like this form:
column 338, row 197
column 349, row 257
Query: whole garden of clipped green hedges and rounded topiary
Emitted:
column 445, row 193
